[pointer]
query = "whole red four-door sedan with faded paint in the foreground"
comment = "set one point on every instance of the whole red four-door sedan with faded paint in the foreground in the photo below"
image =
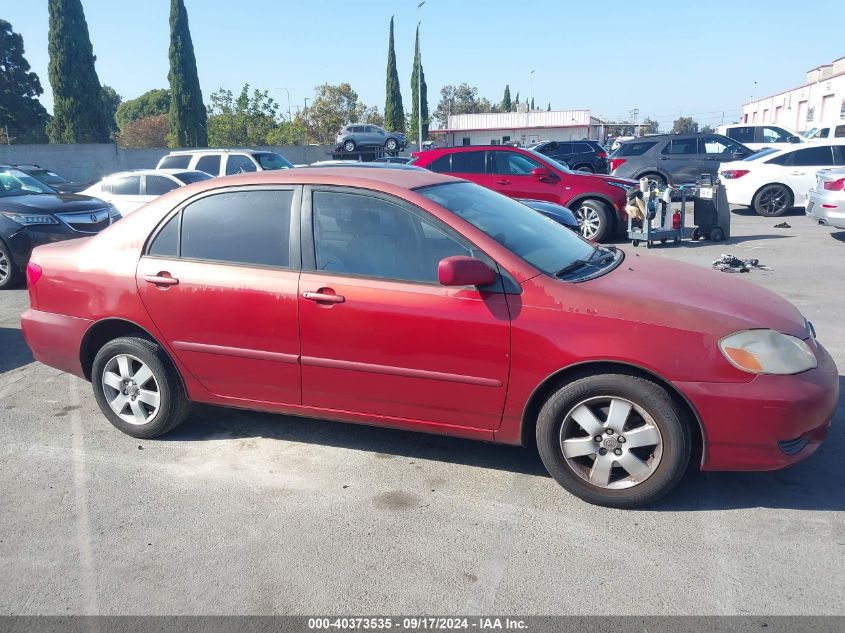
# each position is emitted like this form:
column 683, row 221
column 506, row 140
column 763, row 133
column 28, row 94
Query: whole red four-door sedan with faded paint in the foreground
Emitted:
column 410, row 299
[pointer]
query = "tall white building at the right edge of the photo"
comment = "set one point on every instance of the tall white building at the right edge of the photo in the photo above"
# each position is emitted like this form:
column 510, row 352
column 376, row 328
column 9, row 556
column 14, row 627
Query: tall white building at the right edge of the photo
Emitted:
column 818, row 102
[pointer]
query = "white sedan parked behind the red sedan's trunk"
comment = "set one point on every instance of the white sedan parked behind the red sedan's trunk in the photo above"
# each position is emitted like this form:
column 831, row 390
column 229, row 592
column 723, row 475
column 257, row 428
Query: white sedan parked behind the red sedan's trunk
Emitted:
column 130, row 190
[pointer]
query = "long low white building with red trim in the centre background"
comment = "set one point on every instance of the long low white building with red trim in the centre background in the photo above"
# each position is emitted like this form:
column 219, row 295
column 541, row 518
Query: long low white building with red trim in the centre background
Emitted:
column 524, row 128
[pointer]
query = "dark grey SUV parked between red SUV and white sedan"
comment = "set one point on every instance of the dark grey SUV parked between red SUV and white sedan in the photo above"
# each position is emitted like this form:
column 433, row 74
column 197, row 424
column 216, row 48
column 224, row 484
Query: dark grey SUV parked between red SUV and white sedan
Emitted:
column 675, row 158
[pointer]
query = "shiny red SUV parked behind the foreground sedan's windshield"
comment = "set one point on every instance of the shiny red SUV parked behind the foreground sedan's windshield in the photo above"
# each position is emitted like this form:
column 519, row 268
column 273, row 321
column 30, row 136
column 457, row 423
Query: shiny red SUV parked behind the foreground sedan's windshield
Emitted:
column 597, row 201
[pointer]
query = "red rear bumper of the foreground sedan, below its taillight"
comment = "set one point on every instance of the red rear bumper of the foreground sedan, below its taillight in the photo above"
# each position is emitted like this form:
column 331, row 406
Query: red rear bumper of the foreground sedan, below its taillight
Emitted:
column 55, row 339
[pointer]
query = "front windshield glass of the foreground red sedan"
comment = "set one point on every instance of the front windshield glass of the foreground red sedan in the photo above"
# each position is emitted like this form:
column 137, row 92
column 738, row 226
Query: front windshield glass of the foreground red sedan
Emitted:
column 541, row 242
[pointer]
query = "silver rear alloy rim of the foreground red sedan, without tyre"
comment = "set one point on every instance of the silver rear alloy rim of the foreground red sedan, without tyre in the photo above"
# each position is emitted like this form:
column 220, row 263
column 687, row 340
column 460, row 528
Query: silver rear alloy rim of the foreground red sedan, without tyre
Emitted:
column 131, row 389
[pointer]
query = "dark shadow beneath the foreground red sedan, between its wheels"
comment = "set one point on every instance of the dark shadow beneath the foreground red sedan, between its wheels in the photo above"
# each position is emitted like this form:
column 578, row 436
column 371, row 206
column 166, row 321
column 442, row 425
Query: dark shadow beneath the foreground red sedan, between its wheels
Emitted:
column 209, row 422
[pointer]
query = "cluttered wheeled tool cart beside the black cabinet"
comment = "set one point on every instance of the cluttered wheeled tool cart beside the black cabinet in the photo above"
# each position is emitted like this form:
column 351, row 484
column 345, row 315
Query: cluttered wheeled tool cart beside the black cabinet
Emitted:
column 650, row 216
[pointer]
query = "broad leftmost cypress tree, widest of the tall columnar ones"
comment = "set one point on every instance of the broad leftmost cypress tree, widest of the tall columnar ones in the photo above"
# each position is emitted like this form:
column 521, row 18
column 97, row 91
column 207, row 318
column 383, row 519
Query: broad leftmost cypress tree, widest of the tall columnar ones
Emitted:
column 78, row 111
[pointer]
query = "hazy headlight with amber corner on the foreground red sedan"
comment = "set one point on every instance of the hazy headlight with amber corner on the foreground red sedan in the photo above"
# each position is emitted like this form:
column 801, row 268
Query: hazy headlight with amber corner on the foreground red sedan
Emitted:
column 767, row 352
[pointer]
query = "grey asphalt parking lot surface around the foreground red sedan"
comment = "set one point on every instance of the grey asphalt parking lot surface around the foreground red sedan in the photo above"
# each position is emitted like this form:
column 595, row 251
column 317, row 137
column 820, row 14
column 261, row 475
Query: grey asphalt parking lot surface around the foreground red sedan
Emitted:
column 248, row 513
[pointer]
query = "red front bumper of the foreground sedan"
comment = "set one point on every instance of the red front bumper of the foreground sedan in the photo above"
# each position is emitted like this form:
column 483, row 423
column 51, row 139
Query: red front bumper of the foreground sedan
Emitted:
column 768, row 423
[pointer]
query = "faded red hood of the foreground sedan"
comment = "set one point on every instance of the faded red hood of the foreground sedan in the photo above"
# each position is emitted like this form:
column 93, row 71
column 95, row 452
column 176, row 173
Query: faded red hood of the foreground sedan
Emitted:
column 656, row 291
